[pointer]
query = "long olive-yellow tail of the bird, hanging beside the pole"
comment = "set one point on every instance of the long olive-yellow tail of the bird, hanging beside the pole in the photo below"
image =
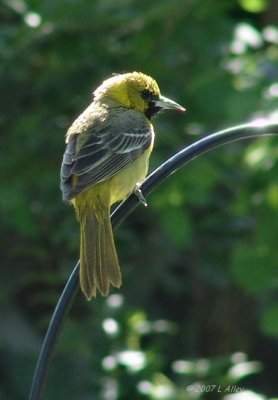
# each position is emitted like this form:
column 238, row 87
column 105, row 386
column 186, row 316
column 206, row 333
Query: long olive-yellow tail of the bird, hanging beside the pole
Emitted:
column 99, row 264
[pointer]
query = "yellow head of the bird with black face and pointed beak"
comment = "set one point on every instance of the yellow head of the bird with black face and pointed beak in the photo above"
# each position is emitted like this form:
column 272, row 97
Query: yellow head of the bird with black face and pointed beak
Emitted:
column 135, row 90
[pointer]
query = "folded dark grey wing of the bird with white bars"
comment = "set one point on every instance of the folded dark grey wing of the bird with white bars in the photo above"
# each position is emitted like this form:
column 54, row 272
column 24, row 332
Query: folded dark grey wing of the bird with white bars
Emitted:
column 103, row 150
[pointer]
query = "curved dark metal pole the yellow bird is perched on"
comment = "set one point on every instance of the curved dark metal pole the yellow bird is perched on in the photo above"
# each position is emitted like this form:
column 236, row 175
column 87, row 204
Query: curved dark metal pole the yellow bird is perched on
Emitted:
column 184, row 156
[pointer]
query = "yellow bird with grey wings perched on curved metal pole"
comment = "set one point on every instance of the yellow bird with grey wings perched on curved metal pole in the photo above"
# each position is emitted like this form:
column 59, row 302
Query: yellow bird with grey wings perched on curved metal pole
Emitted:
column 106, row 158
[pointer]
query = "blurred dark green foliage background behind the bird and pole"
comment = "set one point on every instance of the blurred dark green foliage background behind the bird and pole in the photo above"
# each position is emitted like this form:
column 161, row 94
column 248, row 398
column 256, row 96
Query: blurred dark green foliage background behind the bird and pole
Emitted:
column 199, row 299
